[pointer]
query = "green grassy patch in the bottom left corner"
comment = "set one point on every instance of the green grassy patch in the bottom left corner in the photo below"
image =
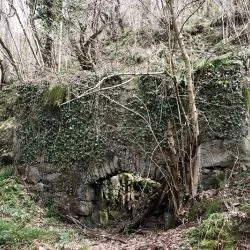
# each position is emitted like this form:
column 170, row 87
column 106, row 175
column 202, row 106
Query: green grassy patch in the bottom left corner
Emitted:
column 17, row 212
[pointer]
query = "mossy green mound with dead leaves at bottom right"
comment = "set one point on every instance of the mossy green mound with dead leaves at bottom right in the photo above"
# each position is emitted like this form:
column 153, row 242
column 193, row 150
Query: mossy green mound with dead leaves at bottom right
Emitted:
column 222, row 219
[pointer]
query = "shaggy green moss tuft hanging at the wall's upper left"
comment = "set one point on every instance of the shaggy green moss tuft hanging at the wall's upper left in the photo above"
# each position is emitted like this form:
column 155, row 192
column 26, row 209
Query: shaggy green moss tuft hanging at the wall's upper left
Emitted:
column 55, row 95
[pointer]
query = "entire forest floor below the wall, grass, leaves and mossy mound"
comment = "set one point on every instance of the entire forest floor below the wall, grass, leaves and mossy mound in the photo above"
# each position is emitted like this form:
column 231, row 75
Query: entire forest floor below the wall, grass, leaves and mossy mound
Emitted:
column 212, row 223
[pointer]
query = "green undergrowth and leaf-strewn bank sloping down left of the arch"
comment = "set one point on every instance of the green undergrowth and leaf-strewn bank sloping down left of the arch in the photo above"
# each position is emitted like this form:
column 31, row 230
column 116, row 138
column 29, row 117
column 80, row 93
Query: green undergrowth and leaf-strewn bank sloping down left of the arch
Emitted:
column 23, row 224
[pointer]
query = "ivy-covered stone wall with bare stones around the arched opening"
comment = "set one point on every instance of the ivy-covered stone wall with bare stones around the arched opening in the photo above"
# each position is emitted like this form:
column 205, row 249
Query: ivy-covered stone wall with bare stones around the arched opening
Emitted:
column 69, row 146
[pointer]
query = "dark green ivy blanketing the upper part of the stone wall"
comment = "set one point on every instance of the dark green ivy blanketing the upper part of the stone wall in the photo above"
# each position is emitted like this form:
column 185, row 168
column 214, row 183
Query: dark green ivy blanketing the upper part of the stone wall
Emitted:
column 88, row 130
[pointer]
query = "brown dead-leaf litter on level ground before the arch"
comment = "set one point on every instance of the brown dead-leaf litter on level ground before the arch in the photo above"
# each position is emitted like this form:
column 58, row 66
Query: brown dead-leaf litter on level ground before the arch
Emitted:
column 142, row 239
